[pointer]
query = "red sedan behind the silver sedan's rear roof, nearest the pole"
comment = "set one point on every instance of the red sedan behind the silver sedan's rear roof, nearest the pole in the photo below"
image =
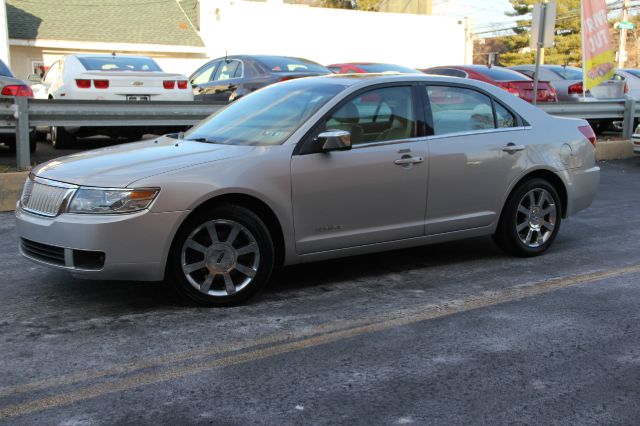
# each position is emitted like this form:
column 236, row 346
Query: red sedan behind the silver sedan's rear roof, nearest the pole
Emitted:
column 511, row 81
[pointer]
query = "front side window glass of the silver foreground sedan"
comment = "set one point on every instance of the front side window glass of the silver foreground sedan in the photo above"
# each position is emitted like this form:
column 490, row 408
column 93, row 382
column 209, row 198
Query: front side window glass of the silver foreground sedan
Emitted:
column 377, row 115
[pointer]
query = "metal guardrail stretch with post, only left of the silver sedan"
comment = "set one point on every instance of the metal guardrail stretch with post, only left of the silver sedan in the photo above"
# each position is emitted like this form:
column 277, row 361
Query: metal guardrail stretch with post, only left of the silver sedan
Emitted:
column 25, row 113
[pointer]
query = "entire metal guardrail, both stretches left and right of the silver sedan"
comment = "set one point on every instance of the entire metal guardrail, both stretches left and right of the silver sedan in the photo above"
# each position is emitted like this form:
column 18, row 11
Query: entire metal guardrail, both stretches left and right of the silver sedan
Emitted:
column 24, row 113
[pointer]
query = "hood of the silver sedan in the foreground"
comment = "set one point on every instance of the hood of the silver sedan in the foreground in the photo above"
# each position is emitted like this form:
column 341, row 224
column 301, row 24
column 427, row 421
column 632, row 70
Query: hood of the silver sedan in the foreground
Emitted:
column 121, row 165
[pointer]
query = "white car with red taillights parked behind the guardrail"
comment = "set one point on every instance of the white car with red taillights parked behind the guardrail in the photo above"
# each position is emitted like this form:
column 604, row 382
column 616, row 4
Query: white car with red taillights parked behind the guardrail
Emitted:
column 112, row 78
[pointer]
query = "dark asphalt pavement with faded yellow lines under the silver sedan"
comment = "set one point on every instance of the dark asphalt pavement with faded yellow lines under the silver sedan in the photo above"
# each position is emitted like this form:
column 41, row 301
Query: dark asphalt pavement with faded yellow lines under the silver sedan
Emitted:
column 451, row 333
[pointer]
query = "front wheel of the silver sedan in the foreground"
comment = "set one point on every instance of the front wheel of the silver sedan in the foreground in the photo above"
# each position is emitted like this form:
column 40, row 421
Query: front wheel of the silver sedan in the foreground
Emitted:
column 221, row 256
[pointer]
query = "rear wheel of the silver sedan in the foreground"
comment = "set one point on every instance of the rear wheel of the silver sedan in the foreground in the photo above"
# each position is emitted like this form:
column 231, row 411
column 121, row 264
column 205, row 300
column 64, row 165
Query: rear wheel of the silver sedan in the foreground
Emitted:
column 517, row 227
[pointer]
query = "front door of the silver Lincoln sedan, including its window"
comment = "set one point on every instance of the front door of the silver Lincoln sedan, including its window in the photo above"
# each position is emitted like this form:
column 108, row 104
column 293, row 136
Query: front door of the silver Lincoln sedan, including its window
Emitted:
column 376, row 191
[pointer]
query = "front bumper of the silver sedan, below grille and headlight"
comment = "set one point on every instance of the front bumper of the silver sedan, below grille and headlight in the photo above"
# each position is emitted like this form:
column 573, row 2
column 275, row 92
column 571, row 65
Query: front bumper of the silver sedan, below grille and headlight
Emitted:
column 134, row 246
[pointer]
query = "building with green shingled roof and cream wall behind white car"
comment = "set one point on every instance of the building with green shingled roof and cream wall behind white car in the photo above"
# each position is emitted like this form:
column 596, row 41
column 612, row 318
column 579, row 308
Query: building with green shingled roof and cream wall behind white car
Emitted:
column 42, row 31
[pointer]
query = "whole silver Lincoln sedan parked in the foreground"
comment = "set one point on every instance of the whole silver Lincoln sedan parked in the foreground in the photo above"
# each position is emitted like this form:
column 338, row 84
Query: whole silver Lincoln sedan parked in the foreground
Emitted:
column 307, row 170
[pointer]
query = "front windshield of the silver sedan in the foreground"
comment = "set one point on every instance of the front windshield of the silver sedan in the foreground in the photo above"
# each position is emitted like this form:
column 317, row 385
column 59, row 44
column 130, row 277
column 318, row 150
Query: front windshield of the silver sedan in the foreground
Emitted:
column 266, row 117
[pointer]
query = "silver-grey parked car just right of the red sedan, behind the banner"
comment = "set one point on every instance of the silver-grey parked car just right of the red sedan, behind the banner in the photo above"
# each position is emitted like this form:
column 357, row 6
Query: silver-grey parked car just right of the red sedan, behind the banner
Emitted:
column 568, row 83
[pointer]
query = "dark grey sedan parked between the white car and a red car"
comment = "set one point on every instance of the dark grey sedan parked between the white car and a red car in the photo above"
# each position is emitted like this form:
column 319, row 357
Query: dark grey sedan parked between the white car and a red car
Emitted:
column 231, row 77
